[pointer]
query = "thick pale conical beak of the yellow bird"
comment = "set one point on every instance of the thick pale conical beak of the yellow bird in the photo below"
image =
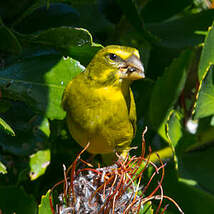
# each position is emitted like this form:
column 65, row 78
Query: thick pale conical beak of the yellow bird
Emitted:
column 132, row 69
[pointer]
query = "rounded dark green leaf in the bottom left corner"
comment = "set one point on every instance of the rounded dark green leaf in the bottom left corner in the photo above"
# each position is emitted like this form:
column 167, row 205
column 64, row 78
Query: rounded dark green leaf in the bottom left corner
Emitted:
column 15, row 200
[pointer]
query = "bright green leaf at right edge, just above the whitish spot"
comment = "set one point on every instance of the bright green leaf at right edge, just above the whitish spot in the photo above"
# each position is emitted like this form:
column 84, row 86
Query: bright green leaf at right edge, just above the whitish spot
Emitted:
column 205, row 102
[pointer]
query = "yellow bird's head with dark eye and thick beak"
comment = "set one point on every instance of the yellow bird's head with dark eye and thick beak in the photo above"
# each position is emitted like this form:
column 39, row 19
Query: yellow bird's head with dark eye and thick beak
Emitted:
column 115, row 63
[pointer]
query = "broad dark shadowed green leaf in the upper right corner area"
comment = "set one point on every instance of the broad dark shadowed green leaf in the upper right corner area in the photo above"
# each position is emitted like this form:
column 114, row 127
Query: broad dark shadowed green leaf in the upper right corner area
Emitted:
column 182, row 32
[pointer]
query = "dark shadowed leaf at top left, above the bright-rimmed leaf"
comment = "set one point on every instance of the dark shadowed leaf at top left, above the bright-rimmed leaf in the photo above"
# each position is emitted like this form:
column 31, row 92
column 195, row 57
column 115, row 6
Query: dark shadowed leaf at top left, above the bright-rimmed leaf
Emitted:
column 60, row 14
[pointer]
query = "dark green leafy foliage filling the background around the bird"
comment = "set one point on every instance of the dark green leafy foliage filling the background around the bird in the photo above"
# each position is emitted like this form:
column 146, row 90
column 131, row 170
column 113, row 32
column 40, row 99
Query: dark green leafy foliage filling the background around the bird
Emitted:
column 44, row 44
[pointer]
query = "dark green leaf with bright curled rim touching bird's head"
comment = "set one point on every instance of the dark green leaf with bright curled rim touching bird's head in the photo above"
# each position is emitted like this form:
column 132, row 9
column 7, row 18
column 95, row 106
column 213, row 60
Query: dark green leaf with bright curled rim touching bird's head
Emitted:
column 75, row 42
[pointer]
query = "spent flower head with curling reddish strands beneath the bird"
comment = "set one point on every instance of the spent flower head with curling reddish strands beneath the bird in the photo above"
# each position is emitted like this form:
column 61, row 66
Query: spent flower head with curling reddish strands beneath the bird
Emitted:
column 115, row 189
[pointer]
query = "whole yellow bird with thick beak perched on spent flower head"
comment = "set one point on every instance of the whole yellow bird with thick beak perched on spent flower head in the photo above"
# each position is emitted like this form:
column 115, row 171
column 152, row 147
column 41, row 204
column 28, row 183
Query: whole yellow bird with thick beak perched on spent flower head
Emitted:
column 99, row 102
